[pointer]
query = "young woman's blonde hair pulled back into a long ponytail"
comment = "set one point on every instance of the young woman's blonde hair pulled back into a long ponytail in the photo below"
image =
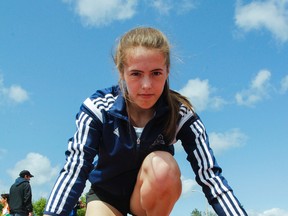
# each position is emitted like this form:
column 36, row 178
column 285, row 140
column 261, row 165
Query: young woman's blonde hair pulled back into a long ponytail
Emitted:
column 151, row 38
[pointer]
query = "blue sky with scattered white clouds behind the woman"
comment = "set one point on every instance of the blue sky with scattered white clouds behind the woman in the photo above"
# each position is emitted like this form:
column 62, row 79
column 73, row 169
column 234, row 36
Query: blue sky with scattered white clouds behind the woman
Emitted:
column 229, row 57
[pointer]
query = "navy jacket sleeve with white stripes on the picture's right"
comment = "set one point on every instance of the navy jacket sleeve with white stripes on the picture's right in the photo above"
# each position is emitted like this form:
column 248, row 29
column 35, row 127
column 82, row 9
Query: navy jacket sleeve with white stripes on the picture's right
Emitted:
column 208, row 173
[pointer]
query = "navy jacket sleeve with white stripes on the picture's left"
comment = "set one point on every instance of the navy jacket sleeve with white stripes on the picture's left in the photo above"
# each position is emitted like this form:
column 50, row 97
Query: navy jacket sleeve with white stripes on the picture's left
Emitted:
column 82, row 149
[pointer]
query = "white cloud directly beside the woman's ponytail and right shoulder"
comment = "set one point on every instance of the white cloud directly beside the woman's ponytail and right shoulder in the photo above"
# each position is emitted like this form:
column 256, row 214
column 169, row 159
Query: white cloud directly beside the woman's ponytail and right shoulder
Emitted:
column 200, row 94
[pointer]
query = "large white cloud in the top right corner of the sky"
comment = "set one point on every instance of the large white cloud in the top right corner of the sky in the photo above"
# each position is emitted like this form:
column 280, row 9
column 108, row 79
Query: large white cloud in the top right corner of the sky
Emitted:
column 270, row 14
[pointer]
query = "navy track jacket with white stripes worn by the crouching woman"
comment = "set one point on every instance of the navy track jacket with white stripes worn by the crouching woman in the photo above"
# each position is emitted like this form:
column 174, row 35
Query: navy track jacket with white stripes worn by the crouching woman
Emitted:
column 105, row 150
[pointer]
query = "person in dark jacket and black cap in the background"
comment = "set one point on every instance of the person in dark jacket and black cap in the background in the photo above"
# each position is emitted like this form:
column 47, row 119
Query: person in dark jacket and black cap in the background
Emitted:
column 20, row 195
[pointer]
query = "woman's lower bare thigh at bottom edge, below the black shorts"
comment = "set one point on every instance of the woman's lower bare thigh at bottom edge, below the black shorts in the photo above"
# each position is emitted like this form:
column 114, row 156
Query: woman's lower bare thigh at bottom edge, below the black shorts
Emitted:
column 98, row 207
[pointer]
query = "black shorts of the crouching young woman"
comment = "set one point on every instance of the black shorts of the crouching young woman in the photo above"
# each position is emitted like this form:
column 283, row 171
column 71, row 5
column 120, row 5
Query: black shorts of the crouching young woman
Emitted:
column 121, row 203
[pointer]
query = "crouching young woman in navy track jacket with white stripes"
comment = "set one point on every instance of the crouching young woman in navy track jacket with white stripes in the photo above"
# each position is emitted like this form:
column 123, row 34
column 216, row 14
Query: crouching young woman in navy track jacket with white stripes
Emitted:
column 130, row 130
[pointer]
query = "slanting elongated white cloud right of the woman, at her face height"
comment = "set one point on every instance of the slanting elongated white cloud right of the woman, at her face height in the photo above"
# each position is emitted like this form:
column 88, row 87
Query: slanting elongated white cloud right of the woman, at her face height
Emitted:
column 258, row 90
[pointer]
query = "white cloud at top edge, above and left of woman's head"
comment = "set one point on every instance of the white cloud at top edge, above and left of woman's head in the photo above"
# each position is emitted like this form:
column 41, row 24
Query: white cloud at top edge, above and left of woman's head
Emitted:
column 98, row 12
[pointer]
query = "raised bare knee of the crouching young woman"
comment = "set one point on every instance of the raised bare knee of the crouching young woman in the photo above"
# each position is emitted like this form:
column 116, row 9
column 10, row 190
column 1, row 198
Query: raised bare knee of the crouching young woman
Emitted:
column 158, row 185
